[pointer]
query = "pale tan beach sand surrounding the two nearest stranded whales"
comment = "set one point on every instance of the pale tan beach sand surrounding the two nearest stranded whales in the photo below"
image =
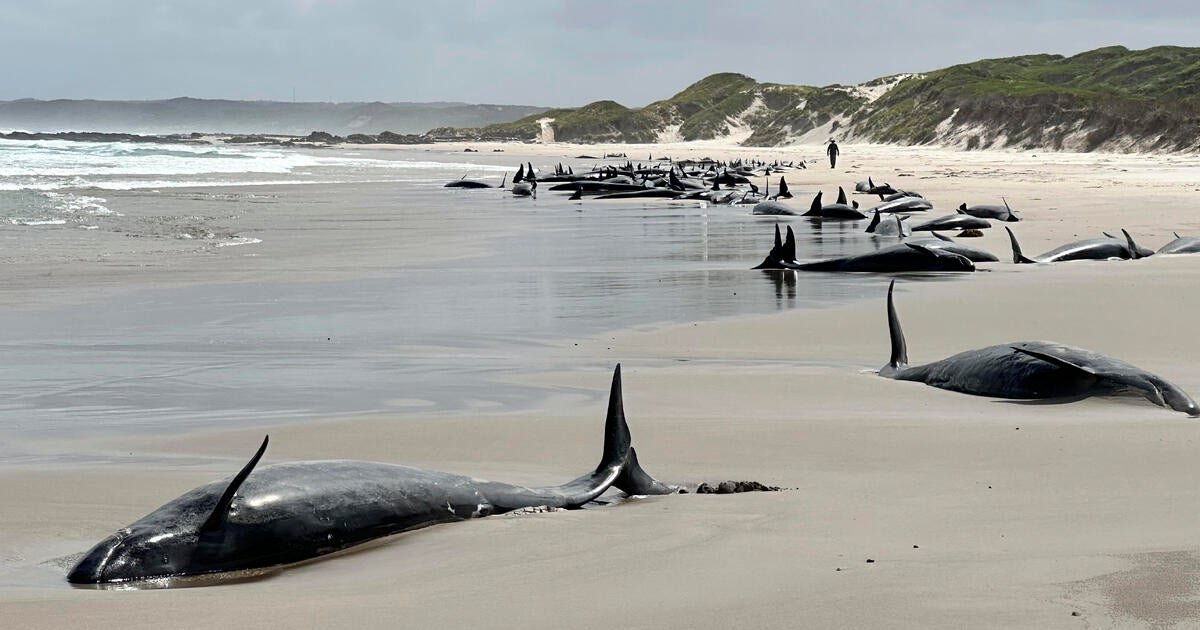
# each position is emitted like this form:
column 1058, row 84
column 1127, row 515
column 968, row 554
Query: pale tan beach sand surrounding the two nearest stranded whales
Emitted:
column 976, row 513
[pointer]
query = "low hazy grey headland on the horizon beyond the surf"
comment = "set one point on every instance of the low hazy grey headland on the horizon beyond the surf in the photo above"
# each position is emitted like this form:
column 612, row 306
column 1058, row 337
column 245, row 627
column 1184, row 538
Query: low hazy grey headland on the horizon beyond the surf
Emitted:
column 185, row 116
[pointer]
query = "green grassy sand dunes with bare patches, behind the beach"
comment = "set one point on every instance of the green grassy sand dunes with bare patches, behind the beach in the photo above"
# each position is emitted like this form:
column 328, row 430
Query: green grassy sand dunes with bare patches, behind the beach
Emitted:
column 1111, row 99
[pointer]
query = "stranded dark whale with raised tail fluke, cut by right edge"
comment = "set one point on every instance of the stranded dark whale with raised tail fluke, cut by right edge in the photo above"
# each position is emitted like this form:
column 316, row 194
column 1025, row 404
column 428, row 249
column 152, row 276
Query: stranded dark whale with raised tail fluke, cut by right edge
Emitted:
column 1033, row 370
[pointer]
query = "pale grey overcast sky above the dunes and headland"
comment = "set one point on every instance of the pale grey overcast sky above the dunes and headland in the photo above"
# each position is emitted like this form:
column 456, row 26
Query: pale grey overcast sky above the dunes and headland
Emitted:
column 525, row 52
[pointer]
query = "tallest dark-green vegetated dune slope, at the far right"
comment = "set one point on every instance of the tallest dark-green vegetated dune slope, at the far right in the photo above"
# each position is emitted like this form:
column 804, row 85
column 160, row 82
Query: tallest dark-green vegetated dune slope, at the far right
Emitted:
column 1151, row 97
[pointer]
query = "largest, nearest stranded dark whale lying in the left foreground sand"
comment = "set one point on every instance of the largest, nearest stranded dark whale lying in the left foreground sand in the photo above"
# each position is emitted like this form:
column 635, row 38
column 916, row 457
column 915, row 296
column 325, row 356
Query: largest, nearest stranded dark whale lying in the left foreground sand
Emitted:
column 290, row 513
